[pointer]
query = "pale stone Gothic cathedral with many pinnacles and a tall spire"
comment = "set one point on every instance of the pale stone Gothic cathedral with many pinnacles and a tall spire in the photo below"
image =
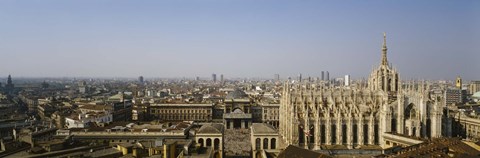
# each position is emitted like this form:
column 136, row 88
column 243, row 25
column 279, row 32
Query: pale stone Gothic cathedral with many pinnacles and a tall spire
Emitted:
column 315, row 115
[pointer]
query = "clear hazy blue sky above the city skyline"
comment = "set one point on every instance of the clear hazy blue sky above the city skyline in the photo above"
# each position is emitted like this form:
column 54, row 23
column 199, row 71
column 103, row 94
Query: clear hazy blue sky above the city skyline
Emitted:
column 434, row 39
